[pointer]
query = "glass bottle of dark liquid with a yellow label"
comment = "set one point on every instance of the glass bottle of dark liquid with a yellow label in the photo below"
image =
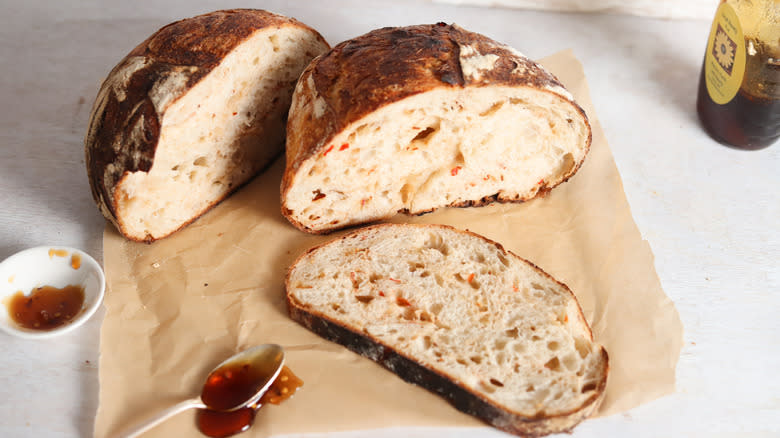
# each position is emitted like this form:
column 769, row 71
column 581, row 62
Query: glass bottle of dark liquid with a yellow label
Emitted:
column 739, row 86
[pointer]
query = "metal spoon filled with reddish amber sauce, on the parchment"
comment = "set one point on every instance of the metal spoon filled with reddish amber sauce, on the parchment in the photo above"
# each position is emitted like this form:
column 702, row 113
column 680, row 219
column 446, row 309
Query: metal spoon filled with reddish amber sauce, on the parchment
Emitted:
column 264, row 363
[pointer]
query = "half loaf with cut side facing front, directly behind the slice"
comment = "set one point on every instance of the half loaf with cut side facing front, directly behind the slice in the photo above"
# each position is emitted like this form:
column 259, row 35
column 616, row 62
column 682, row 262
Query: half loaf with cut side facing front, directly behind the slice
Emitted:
column 416, row 118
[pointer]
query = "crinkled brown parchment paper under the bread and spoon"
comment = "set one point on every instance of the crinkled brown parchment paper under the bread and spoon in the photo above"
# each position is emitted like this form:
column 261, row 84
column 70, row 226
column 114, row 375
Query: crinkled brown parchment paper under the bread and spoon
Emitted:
column 177, row 307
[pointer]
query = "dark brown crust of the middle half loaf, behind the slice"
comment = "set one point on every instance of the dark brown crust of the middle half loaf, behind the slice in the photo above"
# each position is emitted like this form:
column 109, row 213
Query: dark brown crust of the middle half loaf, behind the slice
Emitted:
column 361, row 75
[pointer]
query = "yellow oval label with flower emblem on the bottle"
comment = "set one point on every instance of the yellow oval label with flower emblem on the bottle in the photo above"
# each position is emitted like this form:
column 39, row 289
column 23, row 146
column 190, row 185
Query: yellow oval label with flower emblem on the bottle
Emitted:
column 724, row 60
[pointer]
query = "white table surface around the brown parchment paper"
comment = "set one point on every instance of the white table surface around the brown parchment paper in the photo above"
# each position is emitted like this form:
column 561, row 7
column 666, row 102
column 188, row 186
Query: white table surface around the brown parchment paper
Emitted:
column 710, row 213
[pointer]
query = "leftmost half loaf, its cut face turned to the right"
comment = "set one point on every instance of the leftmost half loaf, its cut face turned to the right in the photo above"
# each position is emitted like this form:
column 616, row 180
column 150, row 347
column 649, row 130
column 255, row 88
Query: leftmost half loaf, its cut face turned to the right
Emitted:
column 191, row 114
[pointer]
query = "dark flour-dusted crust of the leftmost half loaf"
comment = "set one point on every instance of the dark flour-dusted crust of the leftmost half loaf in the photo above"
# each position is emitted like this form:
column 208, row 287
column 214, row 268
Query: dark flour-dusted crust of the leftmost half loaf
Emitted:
column 123, row 130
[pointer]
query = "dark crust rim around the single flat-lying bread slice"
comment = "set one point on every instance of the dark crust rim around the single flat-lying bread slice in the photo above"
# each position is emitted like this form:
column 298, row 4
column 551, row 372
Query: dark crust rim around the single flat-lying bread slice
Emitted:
column 446, row 386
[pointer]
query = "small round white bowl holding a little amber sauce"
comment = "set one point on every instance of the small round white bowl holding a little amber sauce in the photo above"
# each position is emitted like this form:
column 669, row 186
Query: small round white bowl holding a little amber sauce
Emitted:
column 49, row 266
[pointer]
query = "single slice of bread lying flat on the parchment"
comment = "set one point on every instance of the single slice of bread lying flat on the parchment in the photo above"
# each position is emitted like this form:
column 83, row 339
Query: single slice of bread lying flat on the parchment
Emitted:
column 455, row 313
